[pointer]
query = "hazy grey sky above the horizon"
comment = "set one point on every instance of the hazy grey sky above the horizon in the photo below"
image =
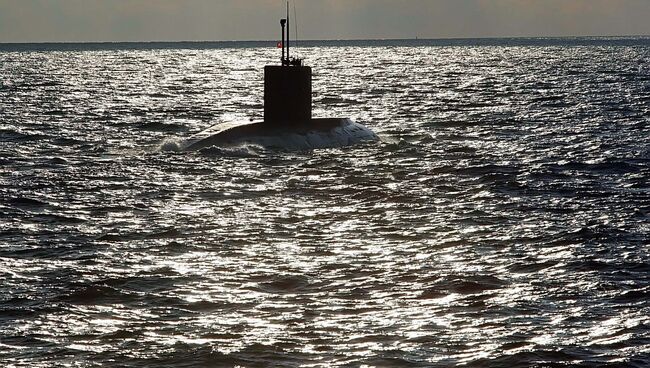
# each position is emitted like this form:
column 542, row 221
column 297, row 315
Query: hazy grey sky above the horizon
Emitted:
column 215, row 20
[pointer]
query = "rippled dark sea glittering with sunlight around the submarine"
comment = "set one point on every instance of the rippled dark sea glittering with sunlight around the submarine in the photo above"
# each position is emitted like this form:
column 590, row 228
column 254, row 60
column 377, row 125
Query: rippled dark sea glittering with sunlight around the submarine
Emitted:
column 502, row 221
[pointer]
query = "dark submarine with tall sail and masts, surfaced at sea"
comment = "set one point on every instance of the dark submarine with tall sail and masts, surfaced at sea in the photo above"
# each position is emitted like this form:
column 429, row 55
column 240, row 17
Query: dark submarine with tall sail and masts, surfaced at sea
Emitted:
column 288, row 123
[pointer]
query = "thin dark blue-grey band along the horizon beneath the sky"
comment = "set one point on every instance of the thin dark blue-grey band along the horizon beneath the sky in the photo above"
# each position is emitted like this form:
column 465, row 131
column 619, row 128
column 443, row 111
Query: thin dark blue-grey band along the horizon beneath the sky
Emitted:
column 487, row 41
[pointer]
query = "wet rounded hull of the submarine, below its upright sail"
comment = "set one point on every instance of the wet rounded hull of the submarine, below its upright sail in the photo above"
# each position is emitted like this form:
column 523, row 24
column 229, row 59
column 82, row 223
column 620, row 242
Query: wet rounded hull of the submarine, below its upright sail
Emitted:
column 315, row 134
